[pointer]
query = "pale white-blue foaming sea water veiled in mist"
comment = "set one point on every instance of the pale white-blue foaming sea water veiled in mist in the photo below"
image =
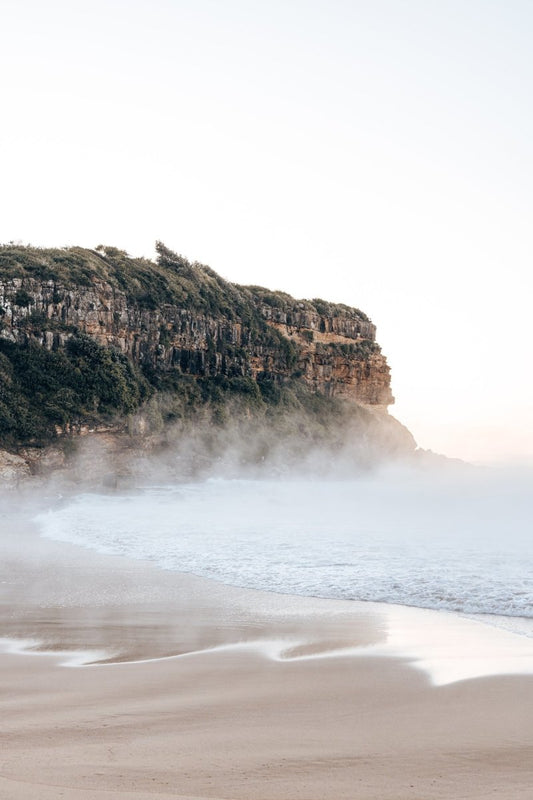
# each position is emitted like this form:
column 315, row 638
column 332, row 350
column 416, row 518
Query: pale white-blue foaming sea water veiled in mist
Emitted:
column 453, row 539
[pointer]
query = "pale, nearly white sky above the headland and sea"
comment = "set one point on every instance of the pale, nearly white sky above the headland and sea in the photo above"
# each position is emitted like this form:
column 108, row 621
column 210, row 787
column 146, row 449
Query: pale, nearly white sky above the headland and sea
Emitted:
column 376, row 153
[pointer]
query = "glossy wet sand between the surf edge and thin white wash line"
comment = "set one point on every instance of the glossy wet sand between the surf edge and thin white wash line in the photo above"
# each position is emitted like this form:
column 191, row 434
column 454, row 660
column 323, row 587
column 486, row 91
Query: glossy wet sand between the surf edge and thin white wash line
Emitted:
column 145, row 588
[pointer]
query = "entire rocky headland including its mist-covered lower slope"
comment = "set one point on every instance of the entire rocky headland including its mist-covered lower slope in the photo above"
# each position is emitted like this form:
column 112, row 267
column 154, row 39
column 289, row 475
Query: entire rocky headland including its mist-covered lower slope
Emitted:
column 137, row 352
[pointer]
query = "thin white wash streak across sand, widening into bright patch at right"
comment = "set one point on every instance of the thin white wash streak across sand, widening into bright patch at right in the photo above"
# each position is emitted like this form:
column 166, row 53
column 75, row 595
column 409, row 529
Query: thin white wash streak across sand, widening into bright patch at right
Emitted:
column 482, row 653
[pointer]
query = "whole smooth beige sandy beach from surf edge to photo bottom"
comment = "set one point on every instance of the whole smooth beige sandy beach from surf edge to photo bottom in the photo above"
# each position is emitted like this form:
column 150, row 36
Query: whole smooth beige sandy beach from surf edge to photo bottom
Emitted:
column 215, row 692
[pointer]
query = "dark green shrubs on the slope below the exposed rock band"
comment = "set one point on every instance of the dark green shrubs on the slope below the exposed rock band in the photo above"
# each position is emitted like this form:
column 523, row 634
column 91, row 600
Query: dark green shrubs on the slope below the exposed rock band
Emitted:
column 44, row 391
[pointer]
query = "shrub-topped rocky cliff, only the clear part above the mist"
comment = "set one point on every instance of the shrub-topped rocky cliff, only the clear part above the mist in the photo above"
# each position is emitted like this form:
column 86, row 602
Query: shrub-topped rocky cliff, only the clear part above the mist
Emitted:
column 86, row 335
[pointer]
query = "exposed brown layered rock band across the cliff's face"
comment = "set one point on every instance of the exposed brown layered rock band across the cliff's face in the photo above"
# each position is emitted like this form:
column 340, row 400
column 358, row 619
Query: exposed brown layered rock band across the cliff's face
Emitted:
column 335, row 353
